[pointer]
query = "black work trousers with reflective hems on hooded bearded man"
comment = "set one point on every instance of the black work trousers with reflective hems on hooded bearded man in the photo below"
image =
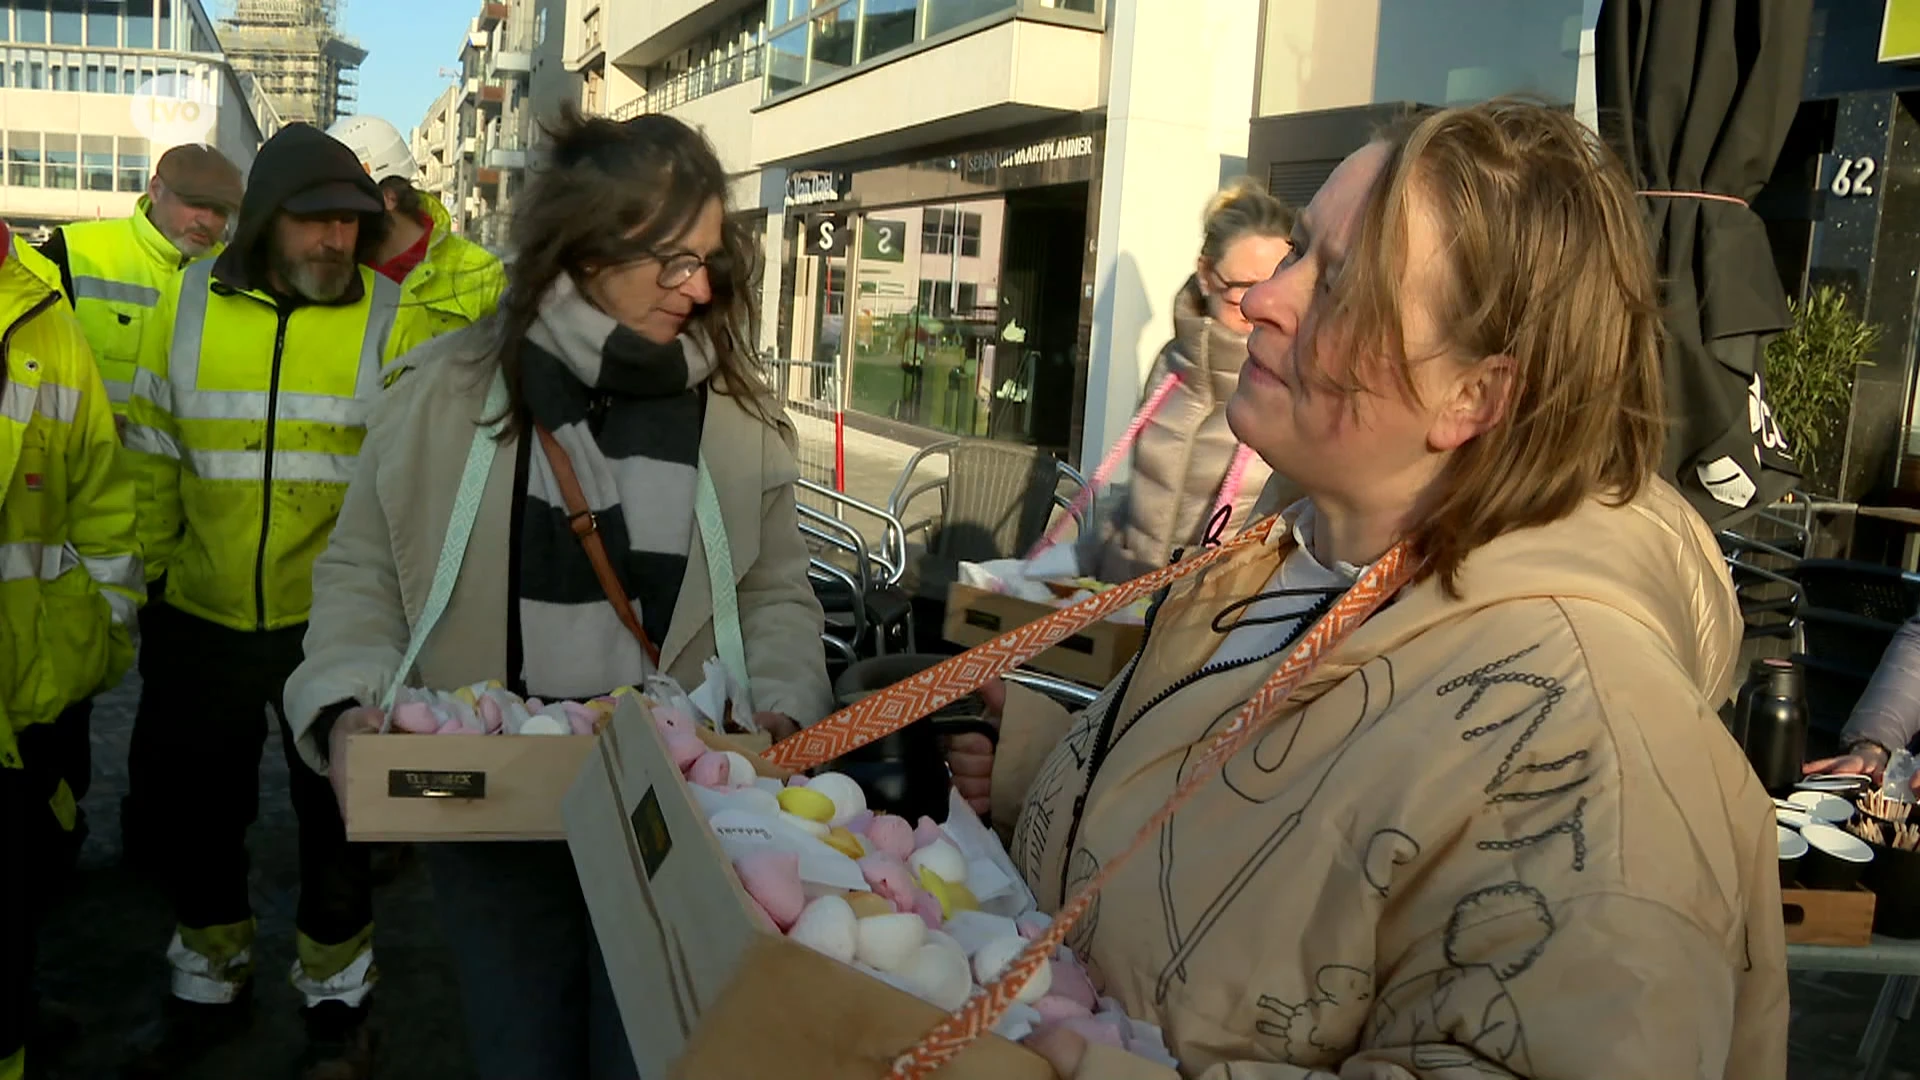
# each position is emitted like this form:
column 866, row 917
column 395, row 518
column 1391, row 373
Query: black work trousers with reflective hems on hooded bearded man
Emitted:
column 204, row 716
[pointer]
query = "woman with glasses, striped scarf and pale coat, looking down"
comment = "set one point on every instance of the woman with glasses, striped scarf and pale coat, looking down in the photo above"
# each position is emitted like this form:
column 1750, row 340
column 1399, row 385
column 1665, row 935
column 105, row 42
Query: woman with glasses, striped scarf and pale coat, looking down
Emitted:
column 625, row 380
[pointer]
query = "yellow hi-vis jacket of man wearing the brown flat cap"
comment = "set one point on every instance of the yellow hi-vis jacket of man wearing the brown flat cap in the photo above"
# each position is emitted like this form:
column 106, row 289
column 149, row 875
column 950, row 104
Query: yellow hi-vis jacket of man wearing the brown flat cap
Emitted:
column 120, row 268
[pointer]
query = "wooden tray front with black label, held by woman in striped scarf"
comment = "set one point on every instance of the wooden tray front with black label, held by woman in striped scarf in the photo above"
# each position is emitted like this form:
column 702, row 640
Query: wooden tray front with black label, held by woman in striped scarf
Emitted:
column 460, row 787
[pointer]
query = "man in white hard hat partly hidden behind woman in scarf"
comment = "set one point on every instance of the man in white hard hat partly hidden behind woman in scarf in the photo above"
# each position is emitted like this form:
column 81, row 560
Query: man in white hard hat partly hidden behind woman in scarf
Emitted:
column 446, row 282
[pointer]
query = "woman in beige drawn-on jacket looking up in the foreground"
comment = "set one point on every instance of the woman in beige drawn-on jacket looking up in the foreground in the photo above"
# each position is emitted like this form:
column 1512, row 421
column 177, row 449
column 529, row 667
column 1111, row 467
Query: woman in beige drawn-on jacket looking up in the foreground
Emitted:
column 1499, row 831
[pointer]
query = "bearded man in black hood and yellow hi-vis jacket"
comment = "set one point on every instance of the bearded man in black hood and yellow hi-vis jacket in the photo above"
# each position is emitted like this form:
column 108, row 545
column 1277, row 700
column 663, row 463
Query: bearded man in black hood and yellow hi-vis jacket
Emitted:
column 245, row 437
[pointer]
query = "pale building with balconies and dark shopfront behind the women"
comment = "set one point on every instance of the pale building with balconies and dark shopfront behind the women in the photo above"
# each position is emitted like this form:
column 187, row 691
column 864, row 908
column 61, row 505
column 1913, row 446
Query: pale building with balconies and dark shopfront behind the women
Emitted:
column 976, row 212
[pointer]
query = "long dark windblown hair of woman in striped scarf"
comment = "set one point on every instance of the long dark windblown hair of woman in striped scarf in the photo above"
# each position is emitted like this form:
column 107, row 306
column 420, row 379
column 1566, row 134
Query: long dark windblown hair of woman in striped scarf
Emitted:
column 602, row 182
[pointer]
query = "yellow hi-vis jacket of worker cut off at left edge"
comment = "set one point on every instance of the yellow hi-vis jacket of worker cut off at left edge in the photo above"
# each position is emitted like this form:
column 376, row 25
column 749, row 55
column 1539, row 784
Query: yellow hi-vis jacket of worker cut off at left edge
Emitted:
column 70, row 564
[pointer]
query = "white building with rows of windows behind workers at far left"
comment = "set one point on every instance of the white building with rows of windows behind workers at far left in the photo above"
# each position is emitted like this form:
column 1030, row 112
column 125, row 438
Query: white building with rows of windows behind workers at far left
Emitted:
column 93, row 93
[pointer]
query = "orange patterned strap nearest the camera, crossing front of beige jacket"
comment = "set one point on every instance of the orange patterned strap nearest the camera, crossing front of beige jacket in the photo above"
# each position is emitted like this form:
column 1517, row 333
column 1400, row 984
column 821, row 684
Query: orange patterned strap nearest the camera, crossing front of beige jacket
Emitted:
column 1255, row 718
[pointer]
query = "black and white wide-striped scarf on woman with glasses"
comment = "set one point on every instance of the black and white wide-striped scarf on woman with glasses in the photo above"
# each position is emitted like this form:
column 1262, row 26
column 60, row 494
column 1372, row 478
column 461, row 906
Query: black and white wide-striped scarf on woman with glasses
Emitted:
column 629, row 412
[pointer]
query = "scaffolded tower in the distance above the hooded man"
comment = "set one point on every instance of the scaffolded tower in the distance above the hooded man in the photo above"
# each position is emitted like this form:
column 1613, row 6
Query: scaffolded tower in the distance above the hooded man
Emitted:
column 297, row 53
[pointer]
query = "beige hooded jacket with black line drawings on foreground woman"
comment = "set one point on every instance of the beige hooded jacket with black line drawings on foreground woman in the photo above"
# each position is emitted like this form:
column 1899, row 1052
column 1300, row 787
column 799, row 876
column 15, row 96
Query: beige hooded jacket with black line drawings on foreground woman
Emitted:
column 1502, row 835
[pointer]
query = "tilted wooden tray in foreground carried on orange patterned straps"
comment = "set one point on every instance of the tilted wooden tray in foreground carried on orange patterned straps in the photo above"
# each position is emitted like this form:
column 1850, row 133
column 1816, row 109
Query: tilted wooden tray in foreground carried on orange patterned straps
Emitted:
column 704, row 991
